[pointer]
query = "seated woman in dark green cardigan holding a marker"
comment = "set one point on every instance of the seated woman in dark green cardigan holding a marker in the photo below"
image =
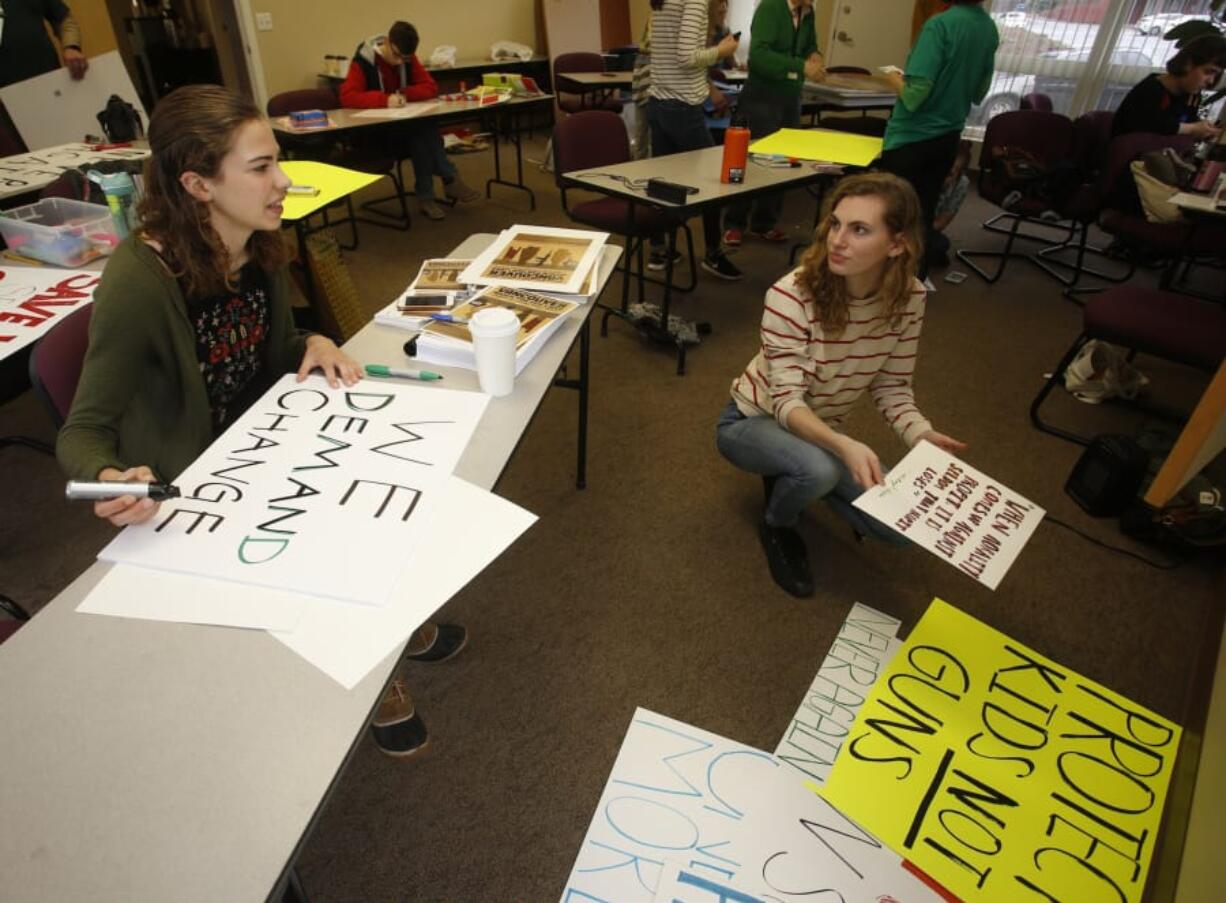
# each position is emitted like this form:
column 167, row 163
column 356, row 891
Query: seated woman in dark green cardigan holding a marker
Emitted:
column 162, row 377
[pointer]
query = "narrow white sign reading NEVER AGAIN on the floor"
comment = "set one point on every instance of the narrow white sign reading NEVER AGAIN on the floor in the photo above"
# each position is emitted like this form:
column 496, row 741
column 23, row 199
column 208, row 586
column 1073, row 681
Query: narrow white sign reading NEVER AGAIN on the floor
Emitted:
column 865, row 645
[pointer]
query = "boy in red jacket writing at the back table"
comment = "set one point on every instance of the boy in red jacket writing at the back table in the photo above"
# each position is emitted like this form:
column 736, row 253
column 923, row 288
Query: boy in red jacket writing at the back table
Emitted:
column 386, row 73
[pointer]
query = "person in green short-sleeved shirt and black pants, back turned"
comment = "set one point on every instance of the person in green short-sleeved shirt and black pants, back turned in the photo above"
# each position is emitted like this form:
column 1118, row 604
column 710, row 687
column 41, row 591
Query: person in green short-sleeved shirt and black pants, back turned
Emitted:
column 950, row 69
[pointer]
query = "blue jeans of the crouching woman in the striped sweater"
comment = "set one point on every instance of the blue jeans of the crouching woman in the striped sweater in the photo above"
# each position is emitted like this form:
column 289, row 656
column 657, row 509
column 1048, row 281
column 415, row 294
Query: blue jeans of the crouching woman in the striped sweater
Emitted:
column 804, row 472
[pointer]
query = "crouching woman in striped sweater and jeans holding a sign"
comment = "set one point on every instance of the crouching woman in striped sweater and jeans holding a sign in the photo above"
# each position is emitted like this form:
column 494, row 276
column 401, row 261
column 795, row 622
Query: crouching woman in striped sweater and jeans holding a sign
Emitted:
column 845, row 323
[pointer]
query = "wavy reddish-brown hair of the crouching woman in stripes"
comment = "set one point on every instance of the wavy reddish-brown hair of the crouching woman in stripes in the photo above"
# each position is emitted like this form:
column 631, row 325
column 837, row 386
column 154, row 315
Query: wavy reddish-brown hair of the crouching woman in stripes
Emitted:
column 903, row 219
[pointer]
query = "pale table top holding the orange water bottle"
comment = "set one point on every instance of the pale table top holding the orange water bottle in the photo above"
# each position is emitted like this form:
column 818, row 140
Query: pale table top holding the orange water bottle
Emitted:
column 698, row 170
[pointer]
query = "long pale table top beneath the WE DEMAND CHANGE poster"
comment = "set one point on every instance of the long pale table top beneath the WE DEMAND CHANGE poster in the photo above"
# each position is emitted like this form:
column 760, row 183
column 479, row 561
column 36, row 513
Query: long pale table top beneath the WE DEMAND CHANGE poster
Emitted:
column 155, row 761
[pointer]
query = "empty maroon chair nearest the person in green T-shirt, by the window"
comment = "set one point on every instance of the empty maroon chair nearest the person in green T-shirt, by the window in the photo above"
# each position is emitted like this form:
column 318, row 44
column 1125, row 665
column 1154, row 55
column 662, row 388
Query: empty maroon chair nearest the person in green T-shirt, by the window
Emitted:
column 1049, row 137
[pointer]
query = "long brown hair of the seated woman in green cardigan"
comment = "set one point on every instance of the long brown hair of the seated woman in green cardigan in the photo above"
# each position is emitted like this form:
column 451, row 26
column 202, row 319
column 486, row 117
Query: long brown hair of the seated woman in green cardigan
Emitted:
column 192, row 130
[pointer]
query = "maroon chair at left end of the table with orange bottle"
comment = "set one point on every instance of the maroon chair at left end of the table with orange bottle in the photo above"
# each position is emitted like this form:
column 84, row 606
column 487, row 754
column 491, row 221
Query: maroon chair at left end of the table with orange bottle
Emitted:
column 595, row 139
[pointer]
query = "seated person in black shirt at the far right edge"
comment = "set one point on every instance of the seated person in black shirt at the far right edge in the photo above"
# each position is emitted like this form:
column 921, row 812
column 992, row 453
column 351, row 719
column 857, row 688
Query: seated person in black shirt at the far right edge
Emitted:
column 1168, row 104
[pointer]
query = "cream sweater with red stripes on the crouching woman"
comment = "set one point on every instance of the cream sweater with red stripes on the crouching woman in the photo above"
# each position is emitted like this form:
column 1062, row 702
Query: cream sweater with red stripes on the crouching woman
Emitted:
column 800, row 365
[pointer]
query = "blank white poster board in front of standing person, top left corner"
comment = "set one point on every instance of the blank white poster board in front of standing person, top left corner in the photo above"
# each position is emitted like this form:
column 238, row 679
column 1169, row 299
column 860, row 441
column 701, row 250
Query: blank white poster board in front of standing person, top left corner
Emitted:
column 55, row 107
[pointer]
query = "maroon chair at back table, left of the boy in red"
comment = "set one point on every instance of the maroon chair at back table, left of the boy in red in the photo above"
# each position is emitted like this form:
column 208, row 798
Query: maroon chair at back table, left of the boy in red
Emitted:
column 327, row 150
